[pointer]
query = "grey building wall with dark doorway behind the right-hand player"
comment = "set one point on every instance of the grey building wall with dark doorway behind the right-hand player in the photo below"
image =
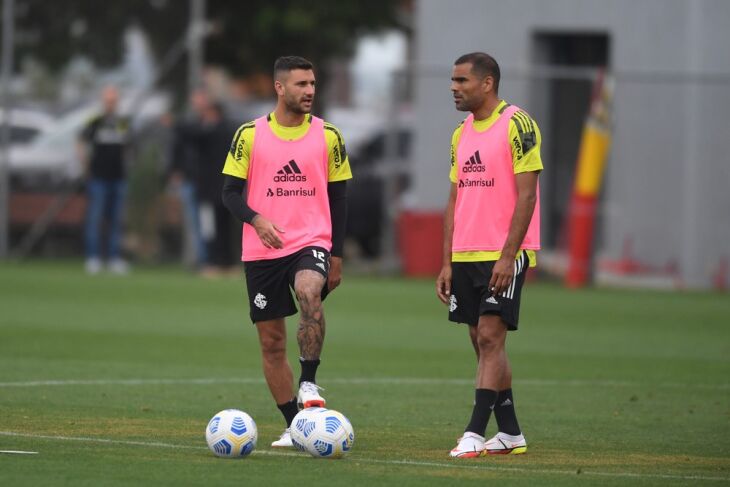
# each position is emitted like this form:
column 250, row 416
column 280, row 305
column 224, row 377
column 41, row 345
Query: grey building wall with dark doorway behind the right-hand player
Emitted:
column 665, row 196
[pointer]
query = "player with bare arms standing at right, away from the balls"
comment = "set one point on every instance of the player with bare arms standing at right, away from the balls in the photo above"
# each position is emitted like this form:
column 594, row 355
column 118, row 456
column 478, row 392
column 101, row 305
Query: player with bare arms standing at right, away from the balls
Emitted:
column 491, row 234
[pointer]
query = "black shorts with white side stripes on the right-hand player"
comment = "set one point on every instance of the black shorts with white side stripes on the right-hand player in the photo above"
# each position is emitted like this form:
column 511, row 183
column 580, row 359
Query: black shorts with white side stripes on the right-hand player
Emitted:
column 471, row 298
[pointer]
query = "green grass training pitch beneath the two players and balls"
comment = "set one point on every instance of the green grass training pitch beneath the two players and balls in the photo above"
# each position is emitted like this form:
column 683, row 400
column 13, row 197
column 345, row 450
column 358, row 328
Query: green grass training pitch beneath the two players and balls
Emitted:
column 113, row 380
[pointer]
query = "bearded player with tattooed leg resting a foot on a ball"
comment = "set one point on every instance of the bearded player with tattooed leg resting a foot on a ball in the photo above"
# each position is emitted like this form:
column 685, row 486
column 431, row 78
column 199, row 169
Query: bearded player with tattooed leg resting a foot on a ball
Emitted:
column 286, row 179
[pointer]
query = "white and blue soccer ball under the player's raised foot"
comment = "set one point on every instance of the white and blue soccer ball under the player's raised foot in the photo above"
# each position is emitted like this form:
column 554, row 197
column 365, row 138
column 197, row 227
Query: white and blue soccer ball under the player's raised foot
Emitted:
column 323, row 433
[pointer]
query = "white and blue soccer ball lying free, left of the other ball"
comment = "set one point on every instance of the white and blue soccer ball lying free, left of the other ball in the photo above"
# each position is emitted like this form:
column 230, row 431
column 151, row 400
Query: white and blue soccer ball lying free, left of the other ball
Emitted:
column 231, row 434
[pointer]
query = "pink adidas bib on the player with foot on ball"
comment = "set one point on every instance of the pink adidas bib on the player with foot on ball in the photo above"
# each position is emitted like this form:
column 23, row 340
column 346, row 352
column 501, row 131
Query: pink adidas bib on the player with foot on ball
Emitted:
column 287, row 184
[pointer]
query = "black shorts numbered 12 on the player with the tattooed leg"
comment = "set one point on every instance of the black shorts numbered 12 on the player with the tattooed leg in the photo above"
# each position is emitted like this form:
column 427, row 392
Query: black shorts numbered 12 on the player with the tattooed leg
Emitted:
column 270, row 282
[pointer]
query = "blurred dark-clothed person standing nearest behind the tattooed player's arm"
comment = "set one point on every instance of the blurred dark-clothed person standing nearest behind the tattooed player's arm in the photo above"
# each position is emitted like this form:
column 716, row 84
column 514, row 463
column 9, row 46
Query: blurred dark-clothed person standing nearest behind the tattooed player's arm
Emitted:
column 216, row 223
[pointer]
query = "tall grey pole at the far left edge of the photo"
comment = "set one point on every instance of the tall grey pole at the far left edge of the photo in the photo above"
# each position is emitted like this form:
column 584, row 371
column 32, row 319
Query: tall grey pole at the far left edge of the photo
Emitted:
column 7, row 67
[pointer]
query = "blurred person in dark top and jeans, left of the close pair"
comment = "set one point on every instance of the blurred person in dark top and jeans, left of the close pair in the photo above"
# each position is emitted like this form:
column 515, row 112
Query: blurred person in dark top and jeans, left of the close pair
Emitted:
column 184, row 164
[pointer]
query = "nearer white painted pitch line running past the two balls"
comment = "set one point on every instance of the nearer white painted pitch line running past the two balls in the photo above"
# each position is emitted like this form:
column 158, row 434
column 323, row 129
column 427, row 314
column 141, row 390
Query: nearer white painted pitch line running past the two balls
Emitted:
column 410, row 463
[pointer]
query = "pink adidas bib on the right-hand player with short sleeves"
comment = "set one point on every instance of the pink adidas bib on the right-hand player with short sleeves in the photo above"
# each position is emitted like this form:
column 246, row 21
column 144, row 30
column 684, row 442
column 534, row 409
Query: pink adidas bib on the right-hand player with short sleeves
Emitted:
column 486, row 189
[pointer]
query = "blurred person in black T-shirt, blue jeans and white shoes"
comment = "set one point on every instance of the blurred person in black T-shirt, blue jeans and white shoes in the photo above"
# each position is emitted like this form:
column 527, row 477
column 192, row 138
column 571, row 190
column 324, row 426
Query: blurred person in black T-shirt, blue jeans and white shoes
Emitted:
column 103, row 150
